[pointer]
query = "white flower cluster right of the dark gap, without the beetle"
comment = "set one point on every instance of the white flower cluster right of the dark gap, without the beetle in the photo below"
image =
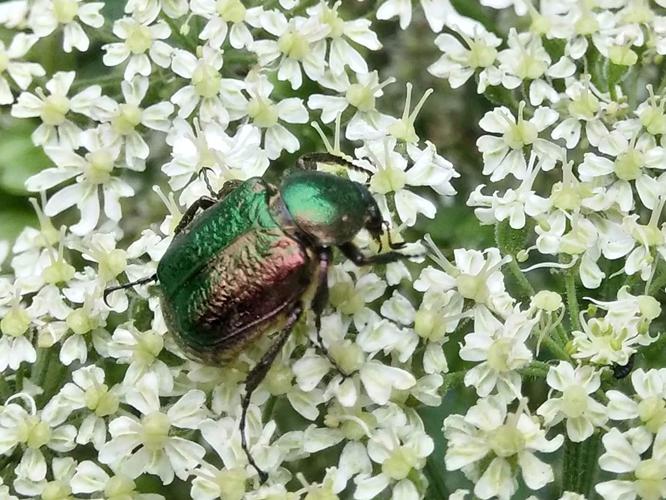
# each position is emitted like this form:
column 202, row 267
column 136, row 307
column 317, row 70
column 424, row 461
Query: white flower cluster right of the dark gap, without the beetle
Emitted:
column 574, row 157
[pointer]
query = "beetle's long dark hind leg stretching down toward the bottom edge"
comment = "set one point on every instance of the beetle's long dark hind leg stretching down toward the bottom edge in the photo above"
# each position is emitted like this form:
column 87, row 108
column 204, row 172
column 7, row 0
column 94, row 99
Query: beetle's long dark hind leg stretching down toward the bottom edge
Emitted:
column 257, row 374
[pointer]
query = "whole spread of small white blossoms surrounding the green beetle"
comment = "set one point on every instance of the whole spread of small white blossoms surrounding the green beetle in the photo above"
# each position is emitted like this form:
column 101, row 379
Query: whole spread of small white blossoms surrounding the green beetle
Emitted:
column 96, row 393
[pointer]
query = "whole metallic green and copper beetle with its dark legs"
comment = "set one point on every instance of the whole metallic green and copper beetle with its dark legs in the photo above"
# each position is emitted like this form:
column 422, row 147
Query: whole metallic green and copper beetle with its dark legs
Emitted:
column 252, row 259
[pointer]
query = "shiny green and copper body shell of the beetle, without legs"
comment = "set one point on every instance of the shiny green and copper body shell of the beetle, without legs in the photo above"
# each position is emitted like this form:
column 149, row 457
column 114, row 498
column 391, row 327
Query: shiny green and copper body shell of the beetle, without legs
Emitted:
column 237, row 270
